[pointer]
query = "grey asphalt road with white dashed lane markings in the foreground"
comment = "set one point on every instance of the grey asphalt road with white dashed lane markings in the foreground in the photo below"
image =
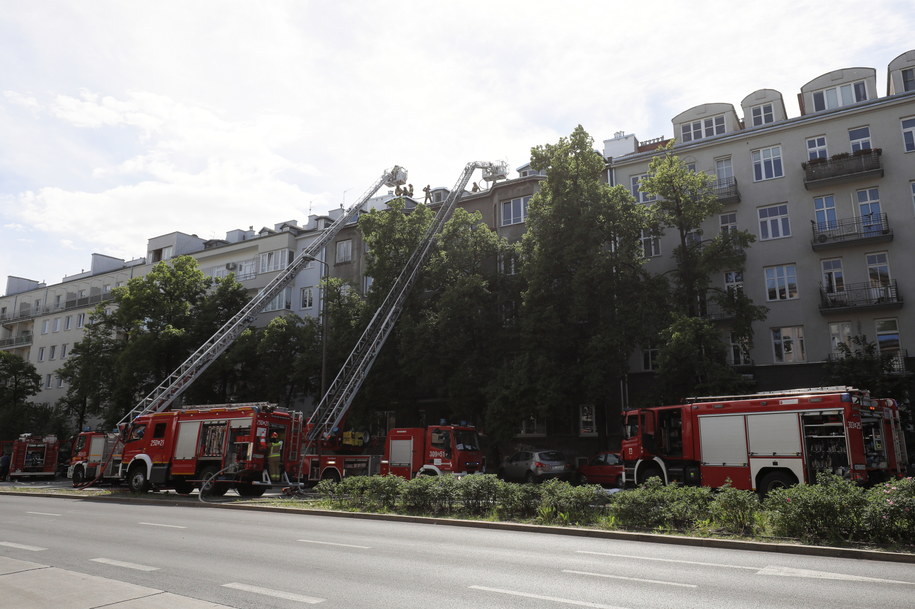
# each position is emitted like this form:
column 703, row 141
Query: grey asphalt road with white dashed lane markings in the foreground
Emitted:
column 250, row 559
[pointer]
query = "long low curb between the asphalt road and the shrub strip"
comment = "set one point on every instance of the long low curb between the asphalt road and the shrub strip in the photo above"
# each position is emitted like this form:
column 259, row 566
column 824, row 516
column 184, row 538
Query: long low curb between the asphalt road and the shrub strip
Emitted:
column 707, row 542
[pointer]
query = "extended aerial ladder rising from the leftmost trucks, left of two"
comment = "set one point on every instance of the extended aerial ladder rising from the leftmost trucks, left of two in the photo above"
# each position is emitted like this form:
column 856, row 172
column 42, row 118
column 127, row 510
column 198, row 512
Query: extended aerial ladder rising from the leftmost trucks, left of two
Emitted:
column 162, row 397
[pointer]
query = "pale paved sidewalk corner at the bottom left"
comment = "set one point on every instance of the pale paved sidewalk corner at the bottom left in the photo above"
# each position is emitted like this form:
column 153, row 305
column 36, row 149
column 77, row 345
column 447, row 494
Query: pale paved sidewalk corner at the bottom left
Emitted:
column 29, row 585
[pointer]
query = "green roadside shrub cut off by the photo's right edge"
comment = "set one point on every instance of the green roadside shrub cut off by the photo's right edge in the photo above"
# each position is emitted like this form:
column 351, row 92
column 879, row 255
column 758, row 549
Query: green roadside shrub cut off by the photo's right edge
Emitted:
column 889, row 515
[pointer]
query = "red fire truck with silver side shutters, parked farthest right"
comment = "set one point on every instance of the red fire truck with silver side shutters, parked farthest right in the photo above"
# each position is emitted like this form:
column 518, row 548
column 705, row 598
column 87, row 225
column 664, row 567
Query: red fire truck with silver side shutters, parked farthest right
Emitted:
column 766, row 440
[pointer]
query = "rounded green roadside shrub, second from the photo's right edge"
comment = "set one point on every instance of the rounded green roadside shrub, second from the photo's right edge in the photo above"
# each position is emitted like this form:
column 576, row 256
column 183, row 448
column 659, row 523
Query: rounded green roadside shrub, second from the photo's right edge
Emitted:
column 832, row 509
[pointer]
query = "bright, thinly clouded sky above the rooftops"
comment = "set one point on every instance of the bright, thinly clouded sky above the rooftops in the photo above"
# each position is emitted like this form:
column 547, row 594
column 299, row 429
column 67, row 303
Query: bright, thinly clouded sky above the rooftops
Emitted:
column 123, row 121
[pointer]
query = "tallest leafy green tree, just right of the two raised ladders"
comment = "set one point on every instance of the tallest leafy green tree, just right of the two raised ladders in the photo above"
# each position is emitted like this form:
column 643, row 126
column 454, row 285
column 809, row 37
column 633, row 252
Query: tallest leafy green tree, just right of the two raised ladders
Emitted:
column 587, row 300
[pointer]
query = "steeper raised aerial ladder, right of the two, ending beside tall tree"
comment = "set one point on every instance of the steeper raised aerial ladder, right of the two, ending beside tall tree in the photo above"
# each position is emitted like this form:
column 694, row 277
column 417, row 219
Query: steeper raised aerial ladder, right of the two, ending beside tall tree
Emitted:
column 339, row 396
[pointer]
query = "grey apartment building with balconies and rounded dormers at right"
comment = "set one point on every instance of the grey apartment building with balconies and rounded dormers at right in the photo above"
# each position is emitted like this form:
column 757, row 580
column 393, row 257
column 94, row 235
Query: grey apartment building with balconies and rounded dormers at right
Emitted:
column 830, row 197
